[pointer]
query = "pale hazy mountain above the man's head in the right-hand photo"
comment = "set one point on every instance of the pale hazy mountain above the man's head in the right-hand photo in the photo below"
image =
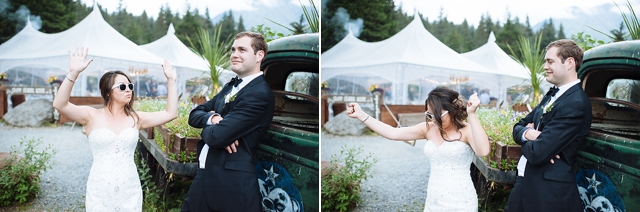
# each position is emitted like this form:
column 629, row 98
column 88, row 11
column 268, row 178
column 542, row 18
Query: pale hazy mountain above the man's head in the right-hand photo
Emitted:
column 604, row 18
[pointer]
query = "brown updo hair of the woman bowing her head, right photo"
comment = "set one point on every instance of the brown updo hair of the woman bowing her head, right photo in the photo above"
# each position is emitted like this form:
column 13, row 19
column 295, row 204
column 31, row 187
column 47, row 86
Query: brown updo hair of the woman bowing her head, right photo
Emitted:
column 443, row 98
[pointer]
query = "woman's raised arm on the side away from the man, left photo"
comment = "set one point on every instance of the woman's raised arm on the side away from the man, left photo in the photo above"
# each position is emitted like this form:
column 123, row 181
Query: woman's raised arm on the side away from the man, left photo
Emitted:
column 77, row 64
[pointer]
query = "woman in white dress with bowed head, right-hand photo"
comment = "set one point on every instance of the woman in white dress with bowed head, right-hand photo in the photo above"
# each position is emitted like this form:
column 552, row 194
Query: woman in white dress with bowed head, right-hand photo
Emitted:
column 451, row 144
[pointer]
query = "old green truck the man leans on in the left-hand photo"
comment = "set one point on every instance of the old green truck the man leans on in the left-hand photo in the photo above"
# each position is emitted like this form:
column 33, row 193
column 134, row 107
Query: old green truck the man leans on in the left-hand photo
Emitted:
column 287, row 159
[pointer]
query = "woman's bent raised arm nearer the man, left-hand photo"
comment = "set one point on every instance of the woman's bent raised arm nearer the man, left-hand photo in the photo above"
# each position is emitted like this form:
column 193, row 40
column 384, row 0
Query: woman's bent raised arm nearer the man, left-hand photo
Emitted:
column 171, row 112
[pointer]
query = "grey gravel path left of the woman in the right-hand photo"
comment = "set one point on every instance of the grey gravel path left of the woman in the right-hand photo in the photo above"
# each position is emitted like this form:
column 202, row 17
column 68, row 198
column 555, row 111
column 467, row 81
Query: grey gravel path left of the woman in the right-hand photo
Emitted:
column 399, row 182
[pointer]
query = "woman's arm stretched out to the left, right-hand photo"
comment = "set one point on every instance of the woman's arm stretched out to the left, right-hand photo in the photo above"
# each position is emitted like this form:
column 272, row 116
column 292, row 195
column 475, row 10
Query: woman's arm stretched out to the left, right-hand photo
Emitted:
column 401, row 134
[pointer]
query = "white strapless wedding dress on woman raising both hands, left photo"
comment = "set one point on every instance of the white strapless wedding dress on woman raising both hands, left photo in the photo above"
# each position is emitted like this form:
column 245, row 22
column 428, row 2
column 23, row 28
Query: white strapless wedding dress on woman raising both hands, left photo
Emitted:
column 114, row 184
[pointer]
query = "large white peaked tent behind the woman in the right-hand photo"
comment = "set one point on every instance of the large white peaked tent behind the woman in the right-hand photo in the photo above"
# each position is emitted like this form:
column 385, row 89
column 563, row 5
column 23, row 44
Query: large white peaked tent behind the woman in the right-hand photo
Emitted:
column 412, row 56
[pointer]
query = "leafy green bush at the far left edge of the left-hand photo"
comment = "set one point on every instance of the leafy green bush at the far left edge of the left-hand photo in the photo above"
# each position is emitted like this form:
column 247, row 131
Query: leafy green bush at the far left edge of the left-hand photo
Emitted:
column 20, row 178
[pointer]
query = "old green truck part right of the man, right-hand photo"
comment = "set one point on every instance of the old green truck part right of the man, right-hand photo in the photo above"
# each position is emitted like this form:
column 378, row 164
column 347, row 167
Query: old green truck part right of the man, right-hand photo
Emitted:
column 608, row 165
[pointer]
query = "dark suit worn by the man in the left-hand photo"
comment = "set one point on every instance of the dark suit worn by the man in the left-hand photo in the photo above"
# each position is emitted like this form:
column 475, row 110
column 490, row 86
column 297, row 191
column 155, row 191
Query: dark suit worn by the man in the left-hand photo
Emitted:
column 229, row 181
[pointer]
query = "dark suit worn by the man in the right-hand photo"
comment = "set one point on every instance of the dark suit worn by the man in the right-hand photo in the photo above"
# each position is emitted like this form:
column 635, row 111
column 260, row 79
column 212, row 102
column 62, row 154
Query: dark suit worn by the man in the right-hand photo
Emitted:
column 546, row 186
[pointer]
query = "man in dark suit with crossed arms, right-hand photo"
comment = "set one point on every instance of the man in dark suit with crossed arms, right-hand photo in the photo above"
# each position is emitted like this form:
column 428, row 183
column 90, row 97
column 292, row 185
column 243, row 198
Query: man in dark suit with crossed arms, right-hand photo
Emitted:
column 550, row 137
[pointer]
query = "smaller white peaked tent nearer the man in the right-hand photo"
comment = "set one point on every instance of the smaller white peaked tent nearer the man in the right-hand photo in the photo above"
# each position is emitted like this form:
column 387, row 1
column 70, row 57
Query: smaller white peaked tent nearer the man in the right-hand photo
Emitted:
column 491, row 56
